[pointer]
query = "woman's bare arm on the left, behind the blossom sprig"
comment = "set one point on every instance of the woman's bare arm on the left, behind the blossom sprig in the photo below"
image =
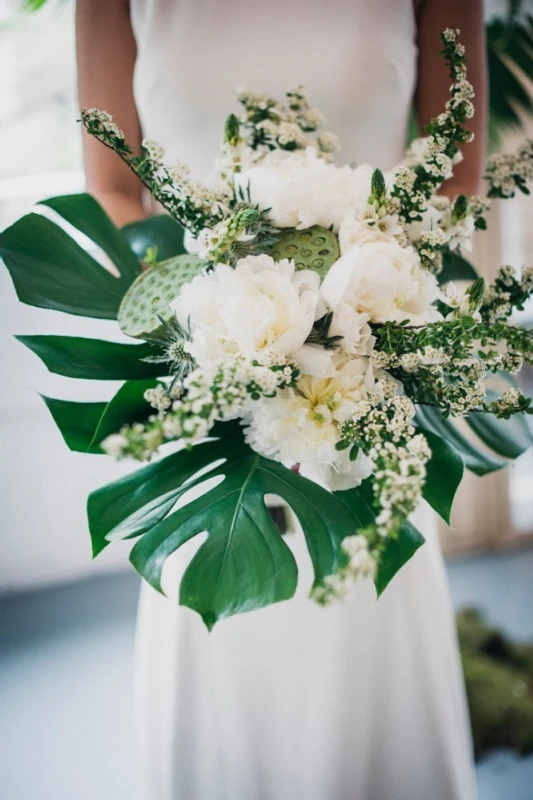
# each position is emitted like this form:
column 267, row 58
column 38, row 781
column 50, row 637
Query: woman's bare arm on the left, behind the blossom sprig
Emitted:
column 106, row 57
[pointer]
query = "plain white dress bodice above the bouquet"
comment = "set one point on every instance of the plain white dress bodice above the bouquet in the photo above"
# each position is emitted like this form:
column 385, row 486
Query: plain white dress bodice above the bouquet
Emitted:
column 356, row 58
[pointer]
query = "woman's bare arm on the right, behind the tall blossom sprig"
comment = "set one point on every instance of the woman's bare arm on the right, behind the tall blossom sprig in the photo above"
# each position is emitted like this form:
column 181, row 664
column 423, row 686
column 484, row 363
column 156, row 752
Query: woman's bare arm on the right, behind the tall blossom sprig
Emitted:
column 434, row 83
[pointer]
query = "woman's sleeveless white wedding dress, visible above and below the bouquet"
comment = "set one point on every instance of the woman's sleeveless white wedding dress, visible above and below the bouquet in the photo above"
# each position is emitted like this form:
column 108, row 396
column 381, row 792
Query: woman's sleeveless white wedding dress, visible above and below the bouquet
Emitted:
column 358, row 701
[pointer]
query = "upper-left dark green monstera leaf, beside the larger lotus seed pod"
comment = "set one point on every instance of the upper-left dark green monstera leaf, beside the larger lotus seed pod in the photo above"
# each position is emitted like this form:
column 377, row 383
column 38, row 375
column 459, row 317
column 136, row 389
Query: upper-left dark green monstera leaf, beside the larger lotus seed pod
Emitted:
column 50, row 270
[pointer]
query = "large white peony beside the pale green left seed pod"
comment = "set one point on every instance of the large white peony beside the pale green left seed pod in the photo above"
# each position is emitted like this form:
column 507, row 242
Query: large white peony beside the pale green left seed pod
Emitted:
column 258, row 305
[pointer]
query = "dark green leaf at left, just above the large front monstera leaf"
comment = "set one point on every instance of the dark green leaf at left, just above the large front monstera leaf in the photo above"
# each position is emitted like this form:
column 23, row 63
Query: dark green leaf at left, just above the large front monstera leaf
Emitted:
column 85, row 425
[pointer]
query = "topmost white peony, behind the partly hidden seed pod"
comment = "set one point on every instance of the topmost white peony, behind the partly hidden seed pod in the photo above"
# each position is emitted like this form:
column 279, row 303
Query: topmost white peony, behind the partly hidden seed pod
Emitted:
column 301, row 189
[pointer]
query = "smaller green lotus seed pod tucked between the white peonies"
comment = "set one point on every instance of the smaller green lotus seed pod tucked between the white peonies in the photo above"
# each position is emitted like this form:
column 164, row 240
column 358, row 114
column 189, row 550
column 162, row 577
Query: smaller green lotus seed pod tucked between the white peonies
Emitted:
column 314, row 248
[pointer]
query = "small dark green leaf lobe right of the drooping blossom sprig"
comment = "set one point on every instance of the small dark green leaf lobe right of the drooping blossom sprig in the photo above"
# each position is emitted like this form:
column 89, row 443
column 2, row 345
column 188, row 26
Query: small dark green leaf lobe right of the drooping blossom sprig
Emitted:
column 444, row 474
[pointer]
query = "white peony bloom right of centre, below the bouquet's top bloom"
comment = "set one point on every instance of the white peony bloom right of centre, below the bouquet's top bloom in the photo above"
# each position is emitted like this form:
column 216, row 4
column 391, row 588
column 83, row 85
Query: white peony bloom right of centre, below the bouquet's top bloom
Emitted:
column 378, row 282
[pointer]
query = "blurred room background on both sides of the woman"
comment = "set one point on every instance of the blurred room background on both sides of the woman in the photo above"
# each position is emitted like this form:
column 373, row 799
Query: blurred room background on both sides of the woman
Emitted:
column 66, row 623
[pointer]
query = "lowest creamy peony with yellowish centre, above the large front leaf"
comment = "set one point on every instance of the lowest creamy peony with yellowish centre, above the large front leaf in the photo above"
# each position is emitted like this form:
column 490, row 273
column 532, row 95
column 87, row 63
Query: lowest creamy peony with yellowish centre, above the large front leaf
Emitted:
column 301, row 426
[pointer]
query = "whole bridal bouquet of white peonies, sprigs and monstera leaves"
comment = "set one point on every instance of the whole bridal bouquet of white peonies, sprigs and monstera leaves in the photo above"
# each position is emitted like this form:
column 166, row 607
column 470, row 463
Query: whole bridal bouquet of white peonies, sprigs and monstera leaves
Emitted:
column 313, row 321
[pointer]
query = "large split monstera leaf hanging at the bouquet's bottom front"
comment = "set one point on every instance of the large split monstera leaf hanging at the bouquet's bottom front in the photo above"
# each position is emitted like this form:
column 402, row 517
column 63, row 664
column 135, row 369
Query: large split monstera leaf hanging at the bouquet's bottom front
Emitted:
column 244, row 563
